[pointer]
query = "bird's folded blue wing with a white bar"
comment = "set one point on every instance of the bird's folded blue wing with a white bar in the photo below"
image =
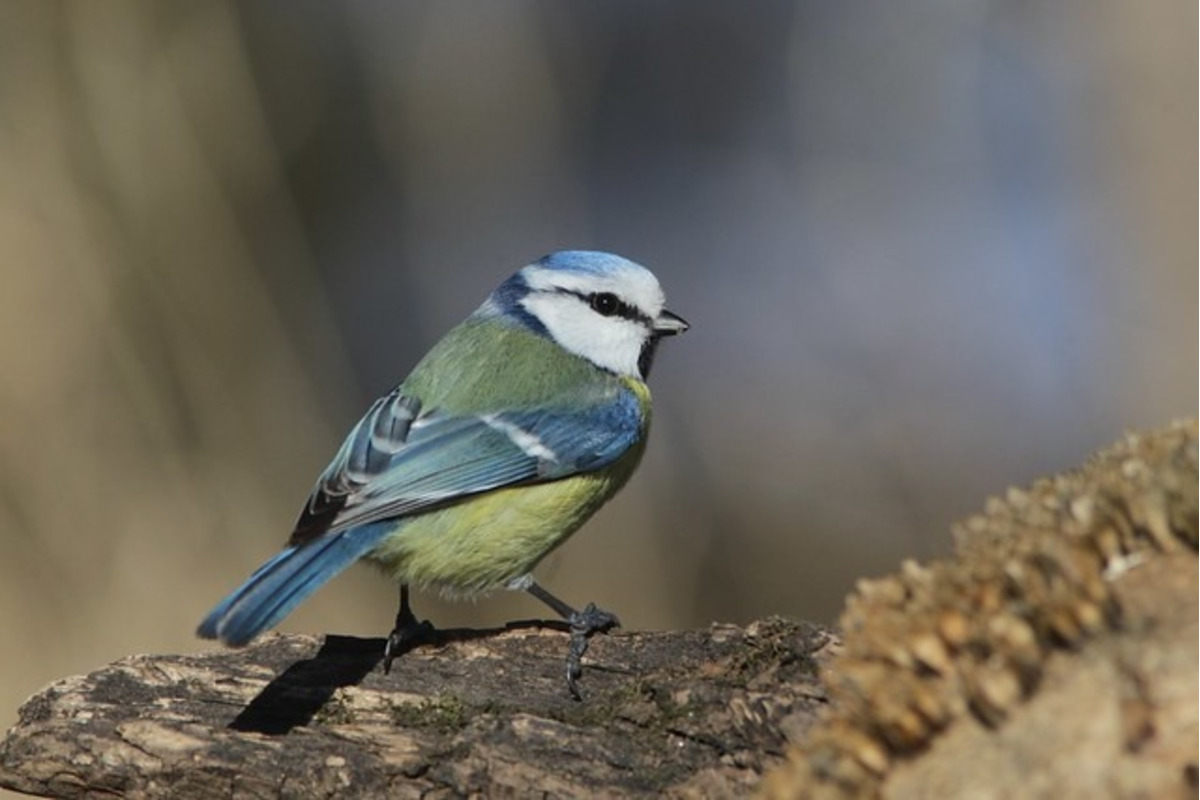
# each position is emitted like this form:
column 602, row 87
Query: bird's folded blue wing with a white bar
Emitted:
column 399, row 460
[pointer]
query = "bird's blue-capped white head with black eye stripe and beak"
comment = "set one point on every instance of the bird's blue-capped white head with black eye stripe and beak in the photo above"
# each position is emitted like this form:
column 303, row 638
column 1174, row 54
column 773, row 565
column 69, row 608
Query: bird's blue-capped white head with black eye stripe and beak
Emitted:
column 599, row 306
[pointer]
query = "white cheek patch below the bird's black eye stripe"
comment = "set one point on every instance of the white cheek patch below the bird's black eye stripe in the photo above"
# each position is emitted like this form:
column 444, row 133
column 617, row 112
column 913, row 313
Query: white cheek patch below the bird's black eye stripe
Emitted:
column 613, row 344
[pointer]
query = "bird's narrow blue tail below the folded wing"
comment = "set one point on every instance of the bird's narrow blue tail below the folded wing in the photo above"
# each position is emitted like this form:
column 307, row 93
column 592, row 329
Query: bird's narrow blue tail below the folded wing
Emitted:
column 283, row 584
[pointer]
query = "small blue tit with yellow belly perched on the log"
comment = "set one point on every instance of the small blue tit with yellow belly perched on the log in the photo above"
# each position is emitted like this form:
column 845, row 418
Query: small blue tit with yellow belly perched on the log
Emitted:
column 518, row 426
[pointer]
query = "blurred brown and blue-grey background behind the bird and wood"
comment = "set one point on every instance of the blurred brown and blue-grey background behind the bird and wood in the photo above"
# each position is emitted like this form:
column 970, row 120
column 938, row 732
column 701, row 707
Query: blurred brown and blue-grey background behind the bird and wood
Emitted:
column 929, row 250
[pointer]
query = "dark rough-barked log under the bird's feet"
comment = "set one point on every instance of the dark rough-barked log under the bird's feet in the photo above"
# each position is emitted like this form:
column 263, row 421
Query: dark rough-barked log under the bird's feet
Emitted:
column 478, row 712
